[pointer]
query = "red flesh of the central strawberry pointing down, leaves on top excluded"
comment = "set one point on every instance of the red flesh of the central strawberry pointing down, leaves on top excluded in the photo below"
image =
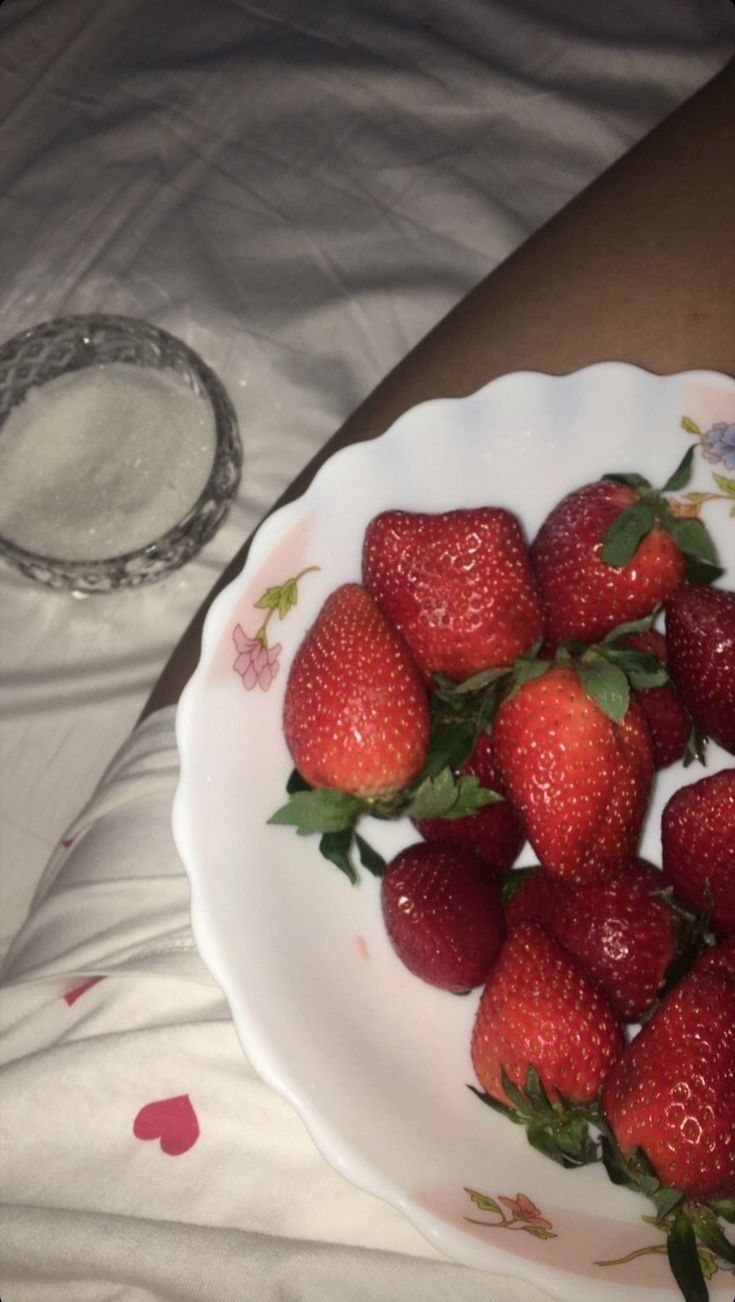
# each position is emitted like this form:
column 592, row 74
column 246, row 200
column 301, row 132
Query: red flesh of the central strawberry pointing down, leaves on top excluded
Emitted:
column 580, row 781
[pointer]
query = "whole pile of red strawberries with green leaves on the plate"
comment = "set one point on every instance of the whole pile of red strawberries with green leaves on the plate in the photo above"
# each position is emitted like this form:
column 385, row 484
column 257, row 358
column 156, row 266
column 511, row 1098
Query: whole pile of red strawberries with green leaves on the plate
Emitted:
column 499, row 695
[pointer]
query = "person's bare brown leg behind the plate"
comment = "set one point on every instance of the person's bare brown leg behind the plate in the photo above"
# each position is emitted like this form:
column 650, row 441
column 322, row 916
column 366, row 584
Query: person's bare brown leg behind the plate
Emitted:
column 639, row 269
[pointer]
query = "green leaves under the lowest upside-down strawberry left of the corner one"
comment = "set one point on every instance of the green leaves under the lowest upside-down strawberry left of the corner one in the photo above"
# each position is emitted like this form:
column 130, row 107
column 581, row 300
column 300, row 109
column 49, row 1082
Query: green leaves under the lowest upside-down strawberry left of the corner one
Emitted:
column 557, row 1128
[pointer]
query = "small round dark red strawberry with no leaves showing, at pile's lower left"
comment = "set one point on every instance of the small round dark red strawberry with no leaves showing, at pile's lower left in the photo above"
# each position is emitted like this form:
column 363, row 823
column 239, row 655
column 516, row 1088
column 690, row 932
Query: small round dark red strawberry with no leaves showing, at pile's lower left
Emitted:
column 443, row 913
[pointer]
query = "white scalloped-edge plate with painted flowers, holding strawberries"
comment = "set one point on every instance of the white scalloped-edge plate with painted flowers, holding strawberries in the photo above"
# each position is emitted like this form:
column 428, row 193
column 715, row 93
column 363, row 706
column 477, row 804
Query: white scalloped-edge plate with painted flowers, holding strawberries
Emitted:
column 375, row 1062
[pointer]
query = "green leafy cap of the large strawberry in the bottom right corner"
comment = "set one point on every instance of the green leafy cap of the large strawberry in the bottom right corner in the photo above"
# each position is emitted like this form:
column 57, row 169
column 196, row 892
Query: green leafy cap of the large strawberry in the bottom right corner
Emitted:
column 689, row 1226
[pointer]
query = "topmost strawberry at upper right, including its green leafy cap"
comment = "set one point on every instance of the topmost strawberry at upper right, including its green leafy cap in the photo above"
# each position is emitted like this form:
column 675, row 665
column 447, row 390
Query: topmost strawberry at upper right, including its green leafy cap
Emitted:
column 612, row 551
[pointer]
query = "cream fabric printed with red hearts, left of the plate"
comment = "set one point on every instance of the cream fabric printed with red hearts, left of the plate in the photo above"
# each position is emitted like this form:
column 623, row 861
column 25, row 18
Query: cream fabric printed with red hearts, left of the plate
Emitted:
column 107, row 1011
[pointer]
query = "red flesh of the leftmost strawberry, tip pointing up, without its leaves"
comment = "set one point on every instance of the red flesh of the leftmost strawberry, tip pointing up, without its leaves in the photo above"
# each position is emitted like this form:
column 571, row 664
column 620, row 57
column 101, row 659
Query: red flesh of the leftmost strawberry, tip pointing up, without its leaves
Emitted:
column 356, row 713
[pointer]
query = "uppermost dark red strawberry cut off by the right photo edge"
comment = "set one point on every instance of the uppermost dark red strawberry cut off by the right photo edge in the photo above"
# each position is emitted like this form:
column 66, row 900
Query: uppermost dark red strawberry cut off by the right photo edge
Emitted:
column 701, row 636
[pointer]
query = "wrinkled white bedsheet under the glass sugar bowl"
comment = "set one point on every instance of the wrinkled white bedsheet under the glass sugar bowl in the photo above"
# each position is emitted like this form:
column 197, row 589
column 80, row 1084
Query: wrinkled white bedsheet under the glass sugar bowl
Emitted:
column 300, row 191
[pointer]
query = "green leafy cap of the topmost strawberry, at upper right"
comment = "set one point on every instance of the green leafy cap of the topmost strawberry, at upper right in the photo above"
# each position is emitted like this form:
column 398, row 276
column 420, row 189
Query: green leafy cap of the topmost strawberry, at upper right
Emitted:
column 652, row 510
